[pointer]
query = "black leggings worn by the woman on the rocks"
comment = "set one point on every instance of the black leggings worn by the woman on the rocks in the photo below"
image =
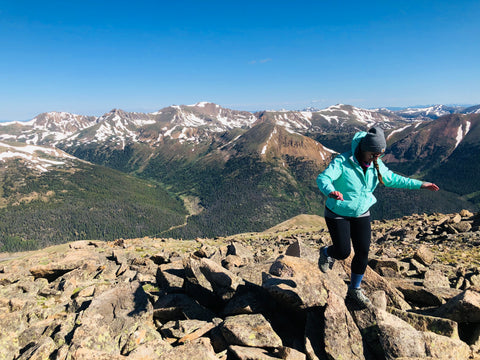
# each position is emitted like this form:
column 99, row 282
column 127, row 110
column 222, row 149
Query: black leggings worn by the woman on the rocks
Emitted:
column 359, row 229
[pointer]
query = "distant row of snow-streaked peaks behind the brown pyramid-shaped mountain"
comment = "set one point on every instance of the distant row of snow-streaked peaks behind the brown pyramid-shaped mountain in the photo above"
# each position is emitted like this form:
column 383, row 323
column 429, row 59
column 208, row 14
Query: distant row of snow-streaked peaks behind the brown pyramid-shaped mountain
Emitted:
column 183, row 123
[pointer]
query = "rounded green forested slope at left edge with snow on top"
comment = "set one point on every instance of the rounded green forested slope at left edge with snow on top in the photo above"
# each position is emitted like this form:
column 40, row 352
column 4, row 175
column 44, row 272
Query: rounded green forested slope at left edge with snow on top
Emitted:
column 53, row 198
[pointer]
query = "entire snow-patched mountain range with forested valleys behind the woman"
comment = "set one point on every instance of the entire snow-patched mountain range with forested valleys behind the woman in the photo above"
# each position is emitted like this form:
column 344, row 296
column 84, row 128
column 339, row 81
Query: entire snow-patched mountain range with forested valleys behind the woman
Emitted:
column 215, row 171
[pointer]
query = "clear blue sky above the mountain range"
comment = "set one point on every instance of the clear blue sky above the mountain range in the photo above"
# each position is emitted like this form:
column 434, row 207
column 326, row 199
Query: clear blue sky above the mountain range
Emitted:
column 90, row 56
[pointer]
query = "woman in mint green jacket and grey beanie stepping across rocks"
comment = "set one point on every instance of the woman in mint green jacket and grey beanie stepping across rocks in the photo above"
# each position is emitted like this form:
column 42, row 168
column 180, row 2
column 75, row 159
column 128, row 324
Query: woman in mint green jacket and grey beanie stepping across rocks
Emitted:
column 349, row 182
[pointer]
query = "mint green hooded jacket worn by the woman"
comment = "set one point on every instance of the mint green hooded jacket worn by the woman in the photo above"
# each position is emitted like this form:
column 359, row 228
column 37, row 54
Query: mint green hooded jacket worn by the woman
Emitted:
column 345, row 174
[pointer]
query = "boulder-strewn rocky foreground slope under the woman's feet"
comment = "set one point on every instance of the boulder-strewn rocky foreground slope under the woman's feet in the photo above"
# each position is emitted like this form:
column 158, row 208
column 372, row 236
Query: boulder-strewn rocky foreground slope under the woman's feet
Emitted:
column 250, row 296
